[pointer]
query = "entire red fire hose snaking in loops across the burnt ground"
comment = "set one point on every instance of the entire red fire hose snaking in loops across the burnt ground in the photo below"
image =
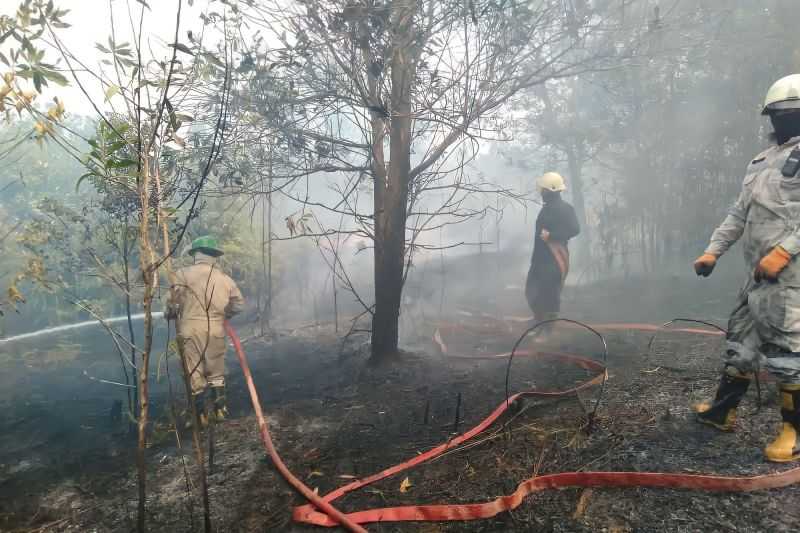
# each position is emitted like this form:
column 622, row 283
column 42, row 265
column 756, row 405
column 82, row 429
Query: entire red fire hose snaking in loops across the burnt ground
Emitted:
column 321, row 513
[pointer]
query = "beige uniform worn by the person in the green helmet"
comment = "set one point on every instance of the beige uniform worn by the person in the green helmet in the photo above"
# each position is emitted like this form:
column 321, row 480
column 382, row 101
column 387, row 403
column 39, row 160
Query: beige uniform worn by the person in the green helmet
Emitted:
column 202, row 298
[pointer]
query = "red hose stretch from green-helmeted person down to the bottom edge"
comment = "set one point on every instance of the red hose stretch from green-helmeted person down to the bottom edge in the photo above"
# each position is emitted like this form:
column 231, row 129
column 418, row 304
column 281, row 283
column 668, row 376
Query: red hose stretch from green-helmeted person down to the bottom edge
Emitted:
column 336, row 518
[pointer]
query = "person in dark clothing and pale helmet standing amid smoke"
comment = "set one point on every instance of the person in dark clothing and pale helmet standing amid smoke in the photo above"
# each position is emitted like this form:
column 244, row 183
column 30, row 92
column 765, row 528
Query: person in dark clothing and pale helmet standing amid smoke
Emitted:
column 555, row 226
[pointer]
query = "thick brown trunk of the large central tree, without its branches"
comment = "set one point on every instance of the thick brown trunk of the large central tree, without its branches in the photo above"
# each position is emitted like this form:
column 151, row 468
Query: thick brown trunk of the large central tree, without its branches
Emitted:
column 390, row 233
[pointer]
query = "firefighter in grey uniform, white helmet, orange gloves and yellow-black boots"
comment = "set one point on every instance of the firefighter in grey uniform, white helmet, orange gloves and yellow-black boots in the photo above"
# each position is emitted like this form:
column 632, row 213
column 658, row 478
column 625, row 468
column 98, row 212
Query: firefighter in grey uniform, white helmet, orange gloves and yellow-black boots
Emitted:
column 765, row 324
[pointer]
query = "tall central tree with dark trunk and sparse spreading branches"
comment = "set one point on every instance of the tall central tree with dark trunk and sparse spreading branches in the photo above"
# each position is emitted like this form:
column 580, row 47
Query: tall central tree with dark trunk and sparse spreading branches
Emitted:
column 402, row 93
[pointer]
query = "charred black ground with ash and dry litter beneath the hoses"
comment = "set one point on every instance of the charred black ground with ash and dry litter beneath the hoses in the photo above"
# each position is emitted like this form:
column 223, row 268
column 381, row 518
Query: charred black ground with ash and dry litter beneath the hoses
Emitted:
column 333, row 417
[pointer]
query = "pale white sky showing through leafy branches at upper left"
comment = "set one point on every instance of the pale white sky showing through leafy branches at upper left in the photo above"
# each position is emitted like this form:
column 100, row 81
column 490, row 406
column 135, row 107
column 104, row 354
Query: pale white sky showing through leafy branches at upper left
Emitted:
column 90, row 22
